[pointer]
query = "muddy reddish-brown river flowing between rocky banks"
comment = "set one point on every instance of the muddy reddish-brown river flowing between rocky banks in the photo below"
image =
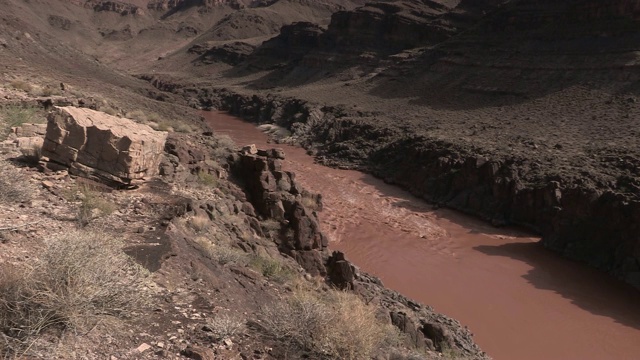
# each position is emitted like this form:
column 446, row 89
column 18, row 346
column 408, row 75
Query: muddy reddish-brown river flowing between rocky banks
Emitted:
column 520, row 300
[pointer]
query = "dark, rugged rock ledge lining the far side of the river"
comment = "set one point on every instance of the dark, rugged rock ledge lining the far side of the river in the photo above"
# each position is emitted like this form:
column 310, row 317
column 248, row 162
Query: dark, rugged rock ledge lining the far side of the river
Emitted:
column 579, row 211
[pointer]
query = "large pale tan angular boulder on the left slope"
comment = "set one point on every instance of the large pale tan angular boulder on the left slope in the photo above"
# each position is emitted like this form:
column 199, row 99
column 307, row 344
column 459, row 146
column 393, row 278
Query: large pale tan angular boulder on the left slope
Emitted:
column 93, row 144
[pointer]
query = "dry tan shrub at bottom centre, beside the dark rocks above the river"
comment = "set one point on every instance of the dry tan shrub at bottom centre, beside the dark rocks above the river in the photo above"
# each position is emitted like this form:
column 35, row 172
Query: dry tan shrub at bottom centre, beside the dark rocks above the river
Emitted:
column 333, row 324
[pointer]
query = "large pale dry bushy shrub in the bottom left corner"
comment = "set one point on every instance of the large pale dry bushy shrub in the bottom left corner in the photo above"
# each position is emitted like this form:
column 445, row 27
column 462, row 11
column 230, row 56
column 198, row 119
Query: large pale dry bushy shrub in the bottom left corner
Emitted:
column 78, row 279
